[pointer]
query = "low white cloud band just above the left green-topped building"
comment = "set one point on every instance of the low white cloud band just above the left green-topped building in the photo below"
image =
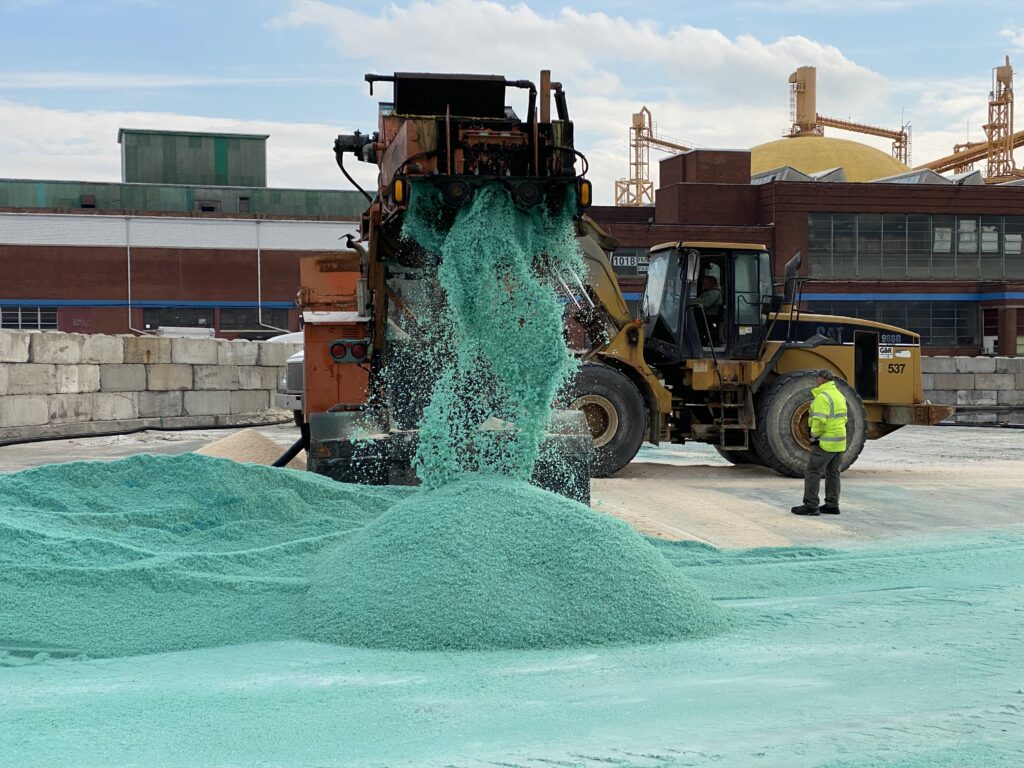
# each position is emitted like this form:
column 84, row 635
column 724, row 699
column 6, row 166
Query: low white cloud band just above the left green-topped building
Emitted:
column 42, row 143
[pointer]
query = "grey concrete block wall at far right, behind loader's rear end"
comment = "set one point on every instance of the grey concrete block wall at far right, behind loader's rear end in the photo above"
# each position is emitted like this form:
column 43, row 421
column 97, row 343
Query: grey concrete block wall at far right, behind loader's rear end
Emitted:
column 974, row 382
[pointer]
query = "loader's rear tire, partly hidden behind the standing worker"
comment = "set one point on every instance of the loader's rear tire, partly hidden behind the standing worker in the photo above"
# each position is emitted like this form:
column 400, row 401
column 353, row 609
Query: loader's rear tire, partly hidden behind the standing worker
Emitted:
column 783, row 439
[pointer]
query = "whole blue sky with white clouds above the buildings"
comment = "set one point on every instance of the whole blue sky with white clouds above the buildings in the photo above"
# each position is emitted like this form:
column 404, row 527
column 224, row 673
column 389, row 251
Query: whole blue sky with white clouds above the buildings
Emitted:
column 713, row 74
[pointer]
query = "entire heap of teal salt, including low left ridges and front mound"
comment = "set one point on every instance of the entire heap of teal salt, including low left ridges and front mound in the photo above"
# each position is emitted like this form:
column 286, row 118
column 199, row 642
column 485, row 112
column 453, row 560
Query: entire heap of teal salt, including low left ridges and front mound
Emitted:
column 154, row 554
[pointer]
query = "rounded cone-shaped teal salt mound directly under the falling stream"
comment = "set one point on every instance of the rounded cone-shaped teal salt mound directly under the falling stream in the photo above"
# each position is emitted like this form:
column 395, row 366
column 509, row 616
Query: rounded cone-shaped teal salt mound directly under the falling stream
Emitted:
column 492, row 563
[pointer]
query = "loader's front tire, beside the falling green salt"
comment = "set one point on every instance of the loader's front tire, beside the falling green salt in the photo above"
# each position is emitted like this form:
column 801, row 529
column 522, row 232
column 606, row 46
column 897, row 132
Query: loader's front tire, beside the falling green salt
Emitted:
column 616, row 414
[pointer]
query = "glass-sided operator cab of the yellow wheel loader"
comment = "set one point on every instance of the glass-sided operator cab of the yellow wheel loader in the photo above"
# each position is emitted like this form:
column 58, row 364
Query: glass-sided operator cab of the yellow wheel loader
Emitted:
column 707, row 301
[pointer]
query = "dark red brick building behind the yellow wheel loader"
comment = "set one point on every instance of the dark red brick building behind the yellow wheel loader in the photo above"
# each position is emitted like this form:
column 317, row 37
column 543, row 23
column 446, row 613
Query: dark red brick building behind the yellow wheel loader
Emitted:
column 941, row 257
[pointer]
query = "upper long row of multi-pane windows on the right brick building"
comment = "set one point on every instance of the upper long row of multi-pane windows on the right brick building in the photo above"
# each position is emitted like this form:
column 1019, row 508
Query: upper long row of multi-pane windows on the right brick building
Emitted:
column 871, row 246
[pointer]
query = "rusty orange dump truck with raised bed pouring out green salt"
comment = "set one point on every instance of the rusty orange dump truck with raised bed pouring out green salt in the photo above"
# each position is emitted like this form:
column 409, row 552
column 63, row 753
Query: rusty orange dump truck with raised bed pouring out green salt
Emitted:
column 449, row 135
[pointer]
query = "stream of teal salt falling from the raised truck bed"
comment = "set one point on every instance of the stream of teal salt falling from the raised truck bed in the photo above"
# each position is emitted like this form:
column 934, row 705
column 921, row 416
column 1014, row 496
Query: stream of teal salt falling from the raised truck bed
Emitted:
column 505, row 358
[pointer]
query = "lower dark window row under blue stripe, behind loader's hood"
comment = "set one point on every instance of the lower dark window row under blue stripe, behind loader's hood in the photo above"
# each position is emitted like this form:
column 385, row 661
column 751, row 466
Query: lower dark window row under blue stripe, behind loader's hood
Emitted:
column 941, row 324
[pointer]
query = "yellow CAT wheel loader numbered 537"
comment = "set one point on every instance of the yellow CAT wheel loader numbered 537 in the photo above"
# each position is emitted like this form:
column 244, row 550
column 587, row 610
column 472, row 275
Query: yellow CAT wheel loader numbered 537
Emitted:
column 737, row 372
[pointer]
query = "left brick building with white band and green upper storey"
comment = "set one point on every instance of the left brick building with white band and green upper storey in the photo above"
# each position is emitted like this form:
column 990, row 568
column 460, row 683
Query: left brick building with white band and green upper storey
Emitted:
column 192, row 237
